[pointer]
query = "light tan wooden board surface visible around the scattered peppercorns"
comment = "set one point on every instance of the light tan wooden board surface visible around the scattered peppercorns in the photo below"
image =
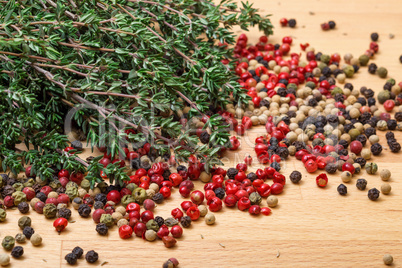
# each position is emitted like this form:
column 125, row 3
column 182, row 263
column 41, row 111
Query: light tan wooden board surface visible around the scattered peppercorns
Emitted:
column 311, row 227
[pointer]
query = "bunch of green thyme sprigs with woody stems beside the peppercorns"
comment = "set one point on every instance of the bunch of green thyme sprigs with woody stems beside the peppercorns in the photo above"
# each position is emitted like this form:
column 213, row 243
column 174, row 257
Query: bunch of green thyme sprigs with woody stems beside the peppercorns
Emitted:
column 128, row 68
